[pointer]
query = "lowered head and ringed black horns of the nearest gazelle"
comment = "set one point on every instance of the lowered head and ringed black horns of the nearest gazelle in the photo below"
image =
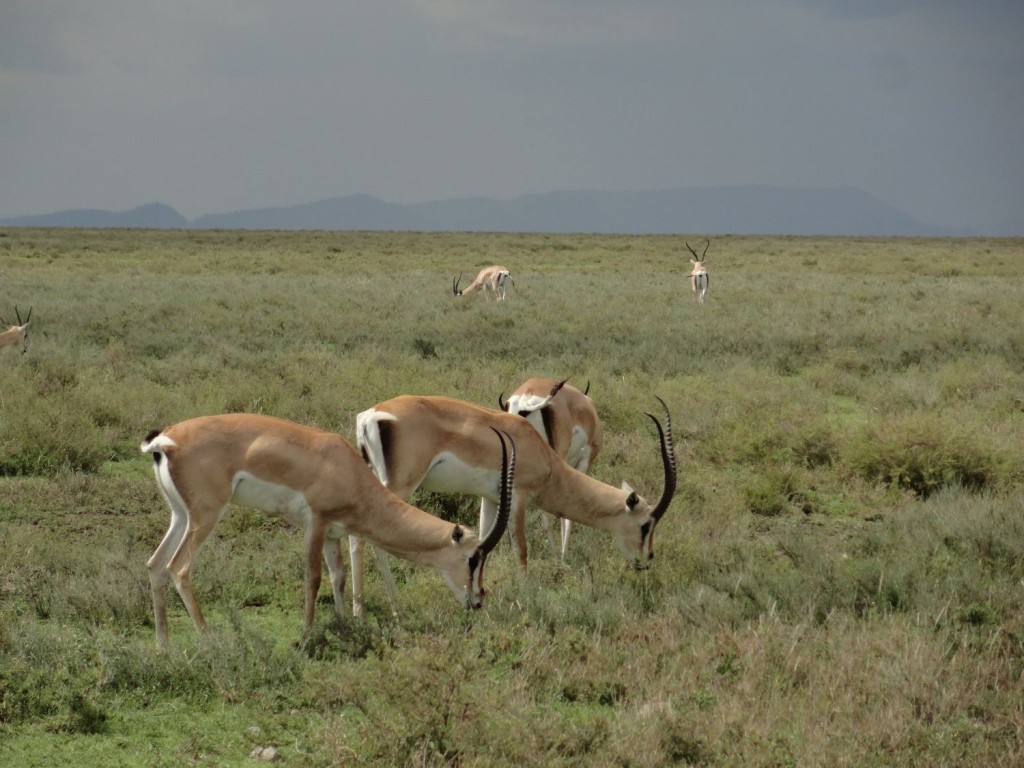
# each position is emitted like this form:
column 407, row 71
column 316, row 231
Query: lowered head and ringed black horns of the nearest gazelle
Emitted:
column 466, row 579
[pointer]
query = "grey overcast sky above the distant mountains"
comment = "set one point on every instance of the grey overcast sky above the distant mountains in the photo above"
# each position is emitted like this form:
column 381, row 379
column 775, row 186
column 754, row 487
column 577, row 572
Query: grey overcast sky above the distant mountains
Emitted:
column 216, row 106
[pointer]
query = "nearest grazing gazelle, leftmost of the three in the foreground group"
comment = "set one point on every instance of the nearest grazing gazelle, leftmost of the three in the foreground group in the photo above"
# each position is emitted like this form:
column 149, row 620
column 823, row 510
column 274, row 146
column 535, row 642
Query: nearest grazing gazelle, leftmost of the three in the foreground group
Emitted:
column 315, row 480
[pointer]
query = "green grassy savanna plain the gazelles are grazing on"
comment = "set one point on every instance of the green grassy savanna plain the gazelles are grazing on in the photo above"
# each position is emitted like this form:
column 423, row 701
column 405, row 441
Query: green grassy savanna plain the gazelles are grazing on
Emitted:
column 838, row 582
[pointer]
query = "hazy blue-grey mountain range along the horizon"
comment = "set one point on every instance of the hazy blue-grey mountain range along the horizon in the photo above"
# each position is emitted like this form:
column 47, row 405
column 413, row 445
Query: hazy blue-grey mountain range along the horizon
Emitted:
column 717, row 210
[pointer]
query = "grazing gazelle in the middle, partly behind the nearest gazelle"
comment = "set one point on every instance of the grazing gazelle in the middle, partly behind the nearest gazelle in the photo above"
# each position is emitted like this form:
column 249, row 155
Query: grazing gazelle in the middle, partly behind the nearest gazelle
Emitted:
column 440, row 444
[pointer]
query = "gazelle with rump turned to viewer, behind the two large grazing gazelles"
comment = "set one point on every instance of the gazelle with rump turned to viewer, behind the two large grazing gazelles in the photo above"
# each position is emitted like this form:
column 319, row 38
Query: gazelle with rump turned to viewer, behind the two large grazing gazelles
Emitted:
column 567, row 419
